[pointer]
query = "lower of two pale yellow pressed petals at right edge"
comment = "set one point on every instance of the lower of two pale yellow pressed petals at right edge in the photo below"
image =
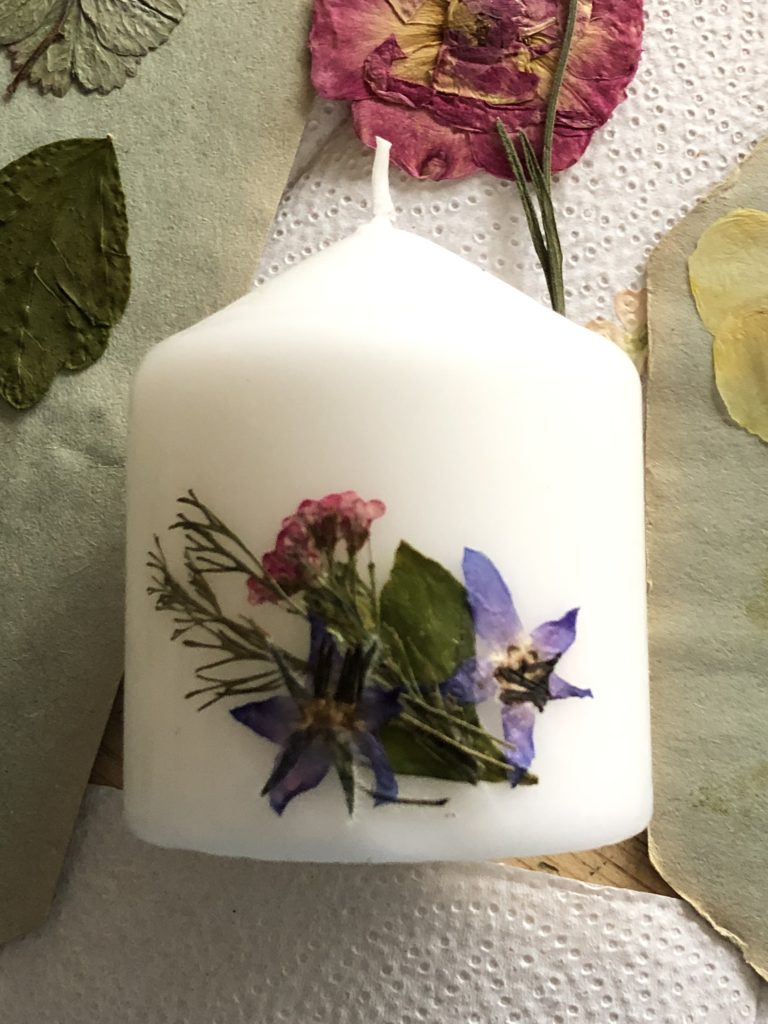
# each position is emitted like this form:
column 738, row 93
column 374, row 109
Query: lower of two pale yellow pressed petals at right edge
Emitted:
column 742, row 369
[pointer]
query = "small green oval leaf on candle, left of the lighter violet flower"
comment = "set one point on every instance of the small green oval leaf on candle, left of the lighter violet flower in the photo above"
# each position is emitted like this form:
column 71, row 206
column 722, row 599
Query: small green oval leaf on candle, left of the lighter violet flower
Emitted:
column 428, row 608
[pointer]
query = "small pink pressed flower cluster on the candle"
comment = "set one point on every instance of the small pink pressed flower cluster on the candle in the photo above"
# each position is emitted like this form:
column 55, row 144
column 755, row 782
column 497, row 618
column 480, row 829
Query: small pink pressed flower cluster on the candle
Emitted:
column 314, row 530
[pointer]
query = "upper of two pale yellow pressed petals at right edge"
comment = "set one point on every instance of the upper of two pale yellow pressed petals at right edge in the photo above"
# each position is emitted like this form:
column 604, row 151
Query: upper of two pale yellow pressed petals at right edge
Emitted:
column 729, row 270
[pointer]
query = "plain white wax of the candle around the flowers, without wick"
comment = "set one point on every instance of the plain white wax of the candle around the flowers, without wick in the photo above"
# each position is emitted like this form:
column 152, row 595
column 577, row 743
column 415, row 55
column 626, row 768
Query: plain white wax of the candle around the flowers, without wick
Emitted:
column 391, row 367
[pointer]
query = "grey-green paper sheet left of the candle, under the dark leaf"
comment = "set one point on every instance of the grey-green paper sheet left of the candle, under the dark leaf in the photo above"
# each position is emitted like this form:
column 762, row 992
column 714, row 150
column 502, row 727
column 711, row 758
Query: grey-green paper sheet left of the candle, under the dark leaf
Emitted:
column 205, row 137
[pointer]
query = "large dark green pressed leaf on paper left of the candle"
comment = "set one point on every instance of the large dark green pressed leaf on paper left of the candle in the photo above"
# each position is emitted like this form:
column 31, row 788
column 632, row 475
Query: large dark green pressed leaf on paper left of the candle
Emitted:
column 65, row 273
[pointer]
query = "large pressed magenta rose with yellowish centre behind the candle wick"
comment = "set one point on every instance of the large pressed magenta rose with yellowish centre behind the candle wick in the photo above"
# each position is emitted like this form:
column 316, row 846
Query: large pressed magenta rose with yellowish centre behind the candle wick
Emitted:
column 433, row 76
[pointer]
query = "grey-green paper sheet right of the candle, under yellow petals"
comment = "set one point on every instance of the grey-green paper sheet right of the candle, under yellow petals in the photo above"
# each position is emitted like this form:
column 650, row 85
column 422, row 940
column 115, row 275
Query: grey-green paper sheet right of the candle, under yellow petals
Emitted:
column 708, row 498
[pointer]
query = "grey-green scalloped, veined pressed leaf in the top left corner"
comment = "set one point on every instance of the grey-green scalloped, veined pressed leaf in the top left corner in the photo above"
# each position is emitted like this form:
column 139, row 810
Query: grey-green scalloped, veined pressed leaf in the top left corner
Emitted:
column 97, row 44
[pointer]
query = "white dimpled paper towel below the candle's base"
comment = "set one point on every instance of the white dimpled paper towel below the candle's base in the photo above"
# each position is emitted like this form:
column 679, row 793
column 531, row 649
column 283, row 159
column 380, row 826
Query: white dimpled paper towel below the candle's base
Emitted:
column 141, row 935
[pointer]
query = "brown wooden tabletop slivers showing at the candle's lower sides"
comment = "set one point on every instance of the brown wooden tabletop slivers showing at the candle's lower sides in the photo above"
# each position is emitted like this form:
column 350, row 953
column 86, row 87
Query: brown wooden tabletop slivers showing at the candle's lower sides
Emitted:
column 626, row 865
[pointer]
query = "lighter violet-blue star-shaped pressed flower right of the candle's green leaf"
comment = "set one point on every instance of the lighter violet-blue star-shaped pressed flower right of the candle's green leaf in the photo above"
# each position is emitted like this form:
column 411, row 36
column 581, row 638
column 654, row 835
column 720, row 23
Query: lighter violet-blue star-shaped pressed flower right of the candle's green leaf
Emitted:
column 517, row 667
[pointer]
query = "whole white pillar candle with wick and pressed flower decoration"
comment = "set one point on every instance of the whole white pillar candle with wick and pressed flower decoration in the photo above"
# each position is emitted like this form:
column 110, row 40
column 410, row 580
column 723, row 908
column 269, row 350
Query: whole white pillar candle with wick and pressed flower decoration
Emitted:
column 389, row 367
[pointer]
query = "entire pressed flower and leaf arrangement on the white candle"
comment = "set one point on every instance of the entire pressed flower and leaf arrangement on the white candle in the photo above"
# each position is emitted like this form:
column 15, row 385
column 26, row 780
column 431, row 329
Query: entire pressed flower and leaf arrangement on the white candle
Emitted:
column 394, row 673
